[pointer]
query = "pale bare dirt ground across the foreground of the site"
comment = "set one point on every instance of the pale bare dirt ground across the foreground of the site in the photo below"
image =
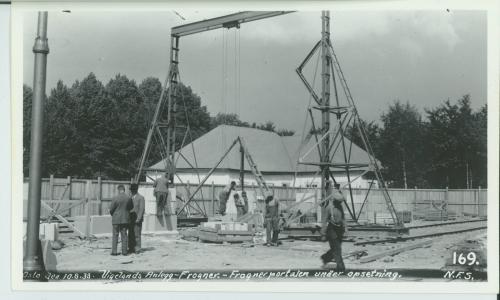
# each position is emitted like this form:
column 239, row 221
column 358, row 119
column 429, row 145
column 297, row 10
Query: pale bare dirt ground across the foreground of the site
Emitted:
column 185, row 253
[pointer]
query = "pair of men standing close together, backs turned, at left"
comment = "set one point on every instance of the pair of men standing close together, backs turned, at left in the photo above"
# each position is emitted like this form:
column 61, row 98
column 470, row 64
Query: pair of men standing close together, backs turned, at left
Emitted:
column 127, row 215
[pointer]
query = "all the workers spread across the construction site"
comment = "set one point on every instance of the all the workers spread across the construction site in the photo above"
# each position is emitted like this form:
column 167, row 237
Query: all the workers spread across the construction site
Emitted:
column 128, row 214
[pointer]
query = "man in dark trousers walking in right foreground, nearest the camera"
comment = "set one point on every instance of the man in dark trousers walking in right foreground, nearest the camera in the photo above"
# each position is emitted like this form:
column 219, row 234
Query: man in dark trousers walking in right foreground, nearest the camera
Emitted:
column 333, row 229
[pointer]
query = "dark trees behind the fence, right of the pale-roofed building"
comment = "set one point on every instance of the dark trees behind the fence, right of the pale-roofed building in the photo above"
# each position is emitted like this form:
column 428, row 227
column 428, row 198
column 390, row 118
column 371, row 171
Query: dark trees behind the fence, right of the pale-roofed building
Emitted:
column 445, row 147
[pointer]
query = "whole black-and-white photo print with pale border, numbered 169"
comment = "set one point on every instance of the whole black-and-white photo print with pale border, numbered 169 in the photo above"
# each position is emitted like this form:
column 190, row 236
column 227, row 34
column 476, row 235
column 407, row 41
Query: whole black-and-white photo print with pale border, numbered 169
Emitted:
column 335, row 145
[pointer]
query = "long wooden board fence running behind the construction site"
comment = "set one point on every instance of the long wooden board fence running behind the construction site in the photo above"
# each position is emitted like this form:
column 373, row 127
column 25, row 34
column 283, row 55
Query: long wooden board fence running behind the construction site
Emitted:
column 95, row 196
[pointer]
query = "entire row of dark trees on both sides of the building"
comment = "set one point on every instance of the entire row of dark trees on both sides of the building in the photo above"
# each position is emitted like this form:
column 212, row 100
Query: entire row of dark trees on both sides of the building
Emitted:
column 92, row 129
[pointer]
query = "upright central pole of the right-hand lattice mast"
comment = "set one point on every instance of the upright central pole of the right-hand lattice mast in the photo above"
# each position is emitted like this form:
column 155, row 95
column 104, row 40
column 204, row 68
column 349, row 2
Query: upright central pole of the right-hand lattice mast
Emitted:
column 325, row 98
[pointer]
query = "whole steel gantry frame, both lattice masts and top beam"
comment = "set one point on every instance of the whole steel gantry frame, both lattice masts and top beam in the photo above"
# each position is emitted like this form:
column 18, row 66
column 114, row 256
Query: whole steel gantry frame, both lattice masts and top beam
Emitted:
column 328, row 141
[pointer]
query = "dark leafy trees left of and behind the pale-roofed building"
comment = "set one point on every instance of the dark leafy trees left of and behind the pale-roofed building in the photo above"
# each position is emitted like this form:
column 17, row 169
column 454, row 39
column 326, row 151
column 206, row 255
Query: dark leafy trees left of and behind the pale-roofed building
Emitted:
column 92, row 129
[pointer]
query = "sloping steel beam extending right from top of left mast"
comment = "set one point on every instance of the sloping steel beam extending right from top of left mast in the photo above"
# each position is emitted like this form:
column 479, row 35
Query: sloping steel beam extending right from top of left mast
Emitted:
column 228, row 21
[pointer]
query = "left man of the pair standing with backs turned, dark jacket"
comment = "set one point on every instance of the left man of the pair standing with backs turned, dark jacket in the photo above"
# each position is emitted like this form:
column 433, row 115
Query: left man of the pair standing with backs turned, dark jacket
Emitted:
column 120, row 209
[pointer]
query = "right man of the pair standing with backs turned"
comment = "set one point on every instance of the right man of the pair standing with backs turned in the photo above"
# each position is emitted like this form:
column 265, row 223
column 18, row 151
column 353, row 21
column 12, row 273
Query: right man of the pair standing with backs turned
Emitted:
column 136, row 218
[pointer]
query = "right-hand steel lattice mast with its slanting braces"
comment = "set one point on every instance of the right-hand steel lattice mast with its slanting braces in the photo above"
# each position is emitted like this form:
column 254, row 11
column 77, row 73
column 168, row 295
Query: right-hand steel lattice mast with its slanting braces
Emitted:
column 330, row 140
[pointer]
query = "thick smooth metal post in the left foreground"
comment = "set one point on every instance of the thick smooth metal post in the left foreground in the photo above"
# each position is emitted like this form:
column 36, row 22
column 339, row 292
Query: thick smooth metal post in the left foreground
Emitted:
column 32, row 259
